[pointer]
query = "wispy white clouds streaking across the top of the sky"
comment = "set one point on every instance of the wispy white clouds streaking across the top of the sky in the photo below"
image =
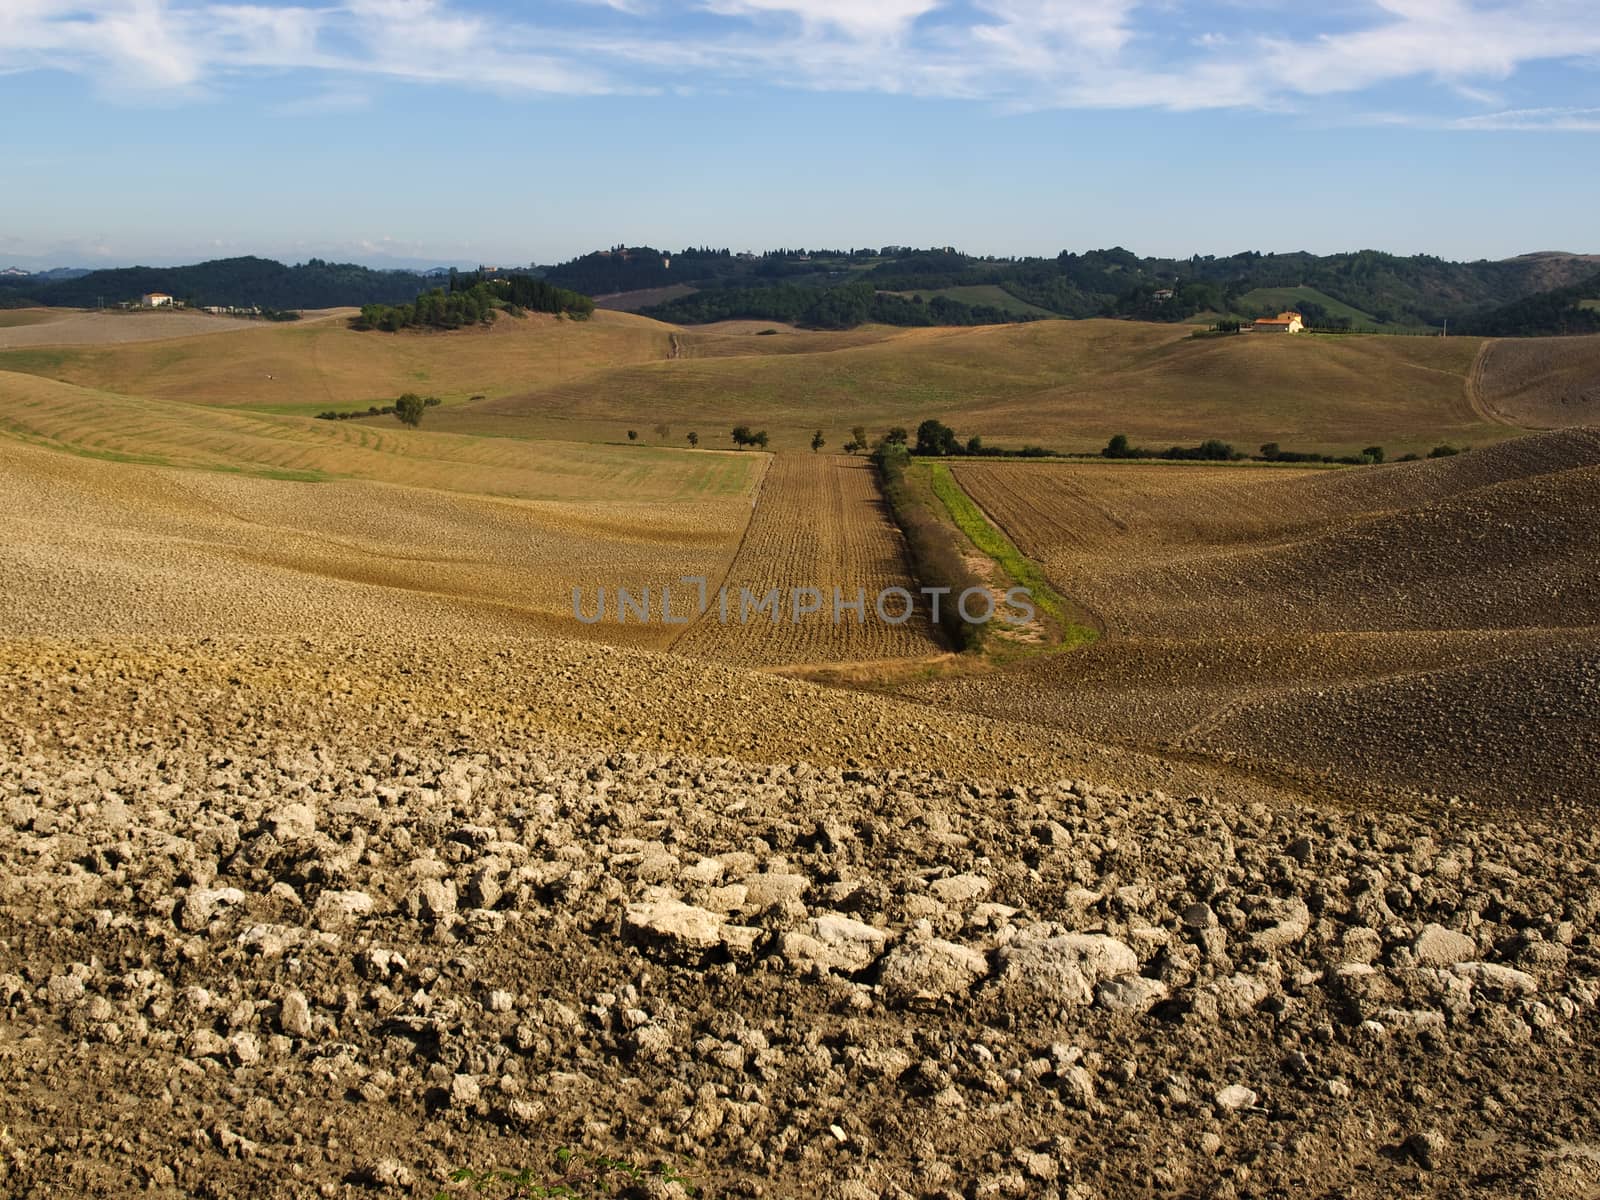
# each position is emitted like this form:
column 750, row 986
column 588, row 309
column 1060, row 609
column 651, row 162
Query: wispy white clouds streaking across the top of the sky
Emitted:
column 1470, row 55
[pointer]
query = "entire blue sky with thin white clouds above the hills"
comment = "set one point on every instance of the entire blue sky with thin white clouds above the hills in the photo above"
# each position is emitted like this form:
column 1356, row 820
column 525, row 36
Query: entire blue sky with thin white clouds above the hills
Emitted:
column 486, row 130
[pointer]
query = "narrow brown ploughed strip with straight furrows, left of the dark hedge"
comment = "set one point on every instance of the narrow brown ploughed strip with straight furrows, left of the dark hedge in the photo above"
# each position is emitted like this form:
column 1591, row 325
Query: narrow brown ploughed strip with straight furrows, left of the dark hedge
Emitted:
column 820, row 526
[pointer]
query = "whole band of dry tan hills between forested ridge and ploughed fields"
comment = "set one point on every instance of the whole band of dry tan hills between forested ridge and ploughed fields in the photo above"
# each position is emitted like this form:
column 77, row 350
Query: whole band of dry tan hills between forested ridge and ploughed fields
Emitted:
column 1063, row 385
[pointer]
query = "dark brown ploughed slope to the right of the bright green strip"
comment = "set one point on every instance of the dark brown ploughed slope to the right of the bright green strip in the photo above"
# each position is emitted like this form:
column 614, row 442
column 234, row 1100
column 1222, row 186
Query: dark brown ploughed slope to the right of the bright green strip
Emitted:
column 1262, row 618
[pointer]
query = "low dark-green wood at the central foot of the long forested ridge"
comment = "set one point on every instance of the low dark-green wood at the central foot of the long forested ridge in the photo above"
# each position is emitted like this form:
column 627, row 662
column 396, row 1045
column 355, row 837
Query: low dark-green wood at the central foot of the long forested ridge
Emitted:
column 825, row 308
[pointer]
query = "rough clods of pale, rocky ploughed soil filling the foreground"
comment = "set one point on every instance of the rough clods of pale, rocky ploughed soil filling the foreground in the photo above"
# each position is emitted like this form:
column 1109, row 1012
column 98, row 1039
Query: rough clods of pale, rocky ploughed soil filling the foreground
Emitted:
column 298, row 959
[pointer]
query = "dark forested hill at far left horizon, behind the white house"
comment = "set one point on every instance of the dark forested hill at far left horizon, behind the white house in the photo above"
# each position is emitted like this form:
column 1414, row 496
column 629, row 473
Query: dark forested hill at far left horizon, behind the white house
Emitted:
column 234, row 282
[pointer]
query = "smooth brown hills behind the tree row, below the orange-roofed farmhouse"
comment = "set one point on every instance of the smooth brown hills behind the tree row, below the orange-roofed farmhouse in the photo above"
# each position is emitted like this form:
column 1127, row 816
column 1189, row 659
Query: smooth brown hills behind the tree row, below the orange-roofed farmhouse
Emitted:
column 1065, row 385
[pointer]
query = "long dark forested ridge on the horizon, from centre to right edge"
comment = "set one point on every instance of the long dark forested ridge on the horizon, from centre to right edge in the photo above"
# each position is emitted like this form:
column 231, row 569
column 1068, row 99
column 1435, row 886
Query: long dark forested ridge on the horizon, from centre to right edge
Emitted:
column 1353, row 290
